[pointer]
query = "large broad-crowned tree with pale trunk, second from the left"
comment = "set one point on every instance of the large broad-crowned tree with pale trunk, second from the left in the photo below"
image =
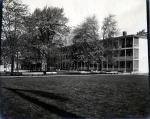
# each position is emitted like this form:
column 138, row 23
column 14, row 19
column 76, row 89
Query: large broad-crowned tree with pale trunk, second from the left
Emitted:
column 48, row 31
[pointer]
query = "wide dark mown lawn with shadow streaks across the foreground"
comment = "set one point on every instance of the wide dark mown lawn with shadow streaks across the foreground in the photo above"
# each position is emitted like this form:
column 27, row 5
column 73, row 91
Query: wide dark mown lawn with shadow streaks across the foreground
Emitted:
column 92, row 96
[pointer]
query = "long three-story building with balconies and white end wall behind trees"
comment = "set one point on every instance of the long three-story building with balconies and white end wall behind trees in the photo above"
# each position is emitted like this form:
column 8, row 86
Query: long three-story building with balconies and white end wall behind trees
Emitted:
column 129, row 53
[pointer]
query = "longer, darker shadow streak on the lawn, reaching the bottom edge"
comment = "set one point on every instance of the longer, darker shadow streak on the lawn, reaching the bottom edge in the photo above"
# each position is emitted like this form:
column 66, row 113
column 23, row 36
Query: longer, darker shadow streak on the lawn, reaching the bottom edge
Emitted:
column 49, row 107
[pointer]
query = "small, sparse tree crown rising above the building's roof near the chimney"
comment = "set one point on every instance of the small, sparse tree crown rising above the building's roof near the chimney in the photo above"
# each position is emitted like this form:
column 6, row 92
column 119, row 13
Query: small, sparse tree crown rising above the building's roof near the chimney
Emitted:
column 109, row 27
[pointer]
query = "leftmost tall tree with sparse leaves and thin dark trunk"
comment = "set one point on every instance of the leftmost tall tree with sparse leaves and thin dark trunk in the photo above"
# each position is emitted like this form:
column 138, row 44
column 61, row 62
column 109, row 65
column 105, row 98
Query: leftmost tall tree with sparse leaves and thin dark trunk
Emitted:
column 13, row 14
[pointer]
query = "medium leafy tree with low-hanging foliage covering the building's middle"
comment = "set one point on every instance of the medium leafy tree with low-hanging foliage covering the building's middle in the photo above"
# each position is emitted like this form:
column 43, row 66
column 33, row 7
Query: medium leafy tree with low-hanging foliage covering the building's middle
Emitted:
column 86, row 44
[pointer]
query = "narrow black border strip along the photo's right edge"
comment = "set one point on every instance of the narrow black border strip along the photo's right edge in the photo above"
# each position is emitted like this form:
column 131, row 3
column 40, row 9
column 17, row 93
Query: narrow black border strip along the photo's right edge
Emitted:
column 148, row 35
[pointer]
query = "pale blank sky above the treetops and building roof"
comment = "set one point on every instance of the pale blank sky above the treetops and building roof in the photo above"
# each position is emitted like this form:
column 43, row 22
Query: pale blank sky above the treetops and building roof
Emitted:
column 130, row 14
